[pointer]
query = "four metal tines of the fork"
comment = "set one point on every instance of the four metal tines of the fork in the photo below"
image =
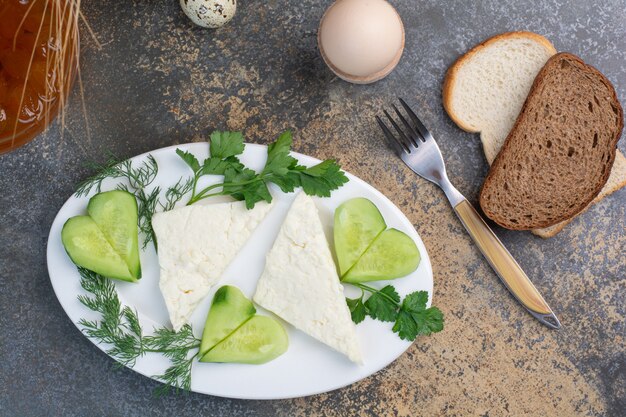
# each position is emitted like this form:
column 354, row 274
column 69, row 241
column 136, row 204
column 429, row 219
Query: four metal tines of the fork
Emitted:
column 409, row 138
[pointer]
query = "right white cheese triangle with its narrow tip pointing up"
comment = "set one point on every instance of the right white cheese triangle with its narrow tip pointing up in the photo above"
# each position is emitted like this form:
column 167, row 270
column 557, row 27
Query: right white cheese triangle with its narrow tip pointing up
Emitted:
column 300, row 282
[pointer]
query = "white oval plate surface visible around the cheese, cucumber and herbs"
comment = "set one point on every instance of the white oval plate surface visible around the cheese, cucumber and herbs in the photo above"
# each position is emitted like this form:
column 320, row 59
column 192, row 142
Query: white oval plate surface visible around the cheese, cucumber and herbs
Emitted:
column 308, row 367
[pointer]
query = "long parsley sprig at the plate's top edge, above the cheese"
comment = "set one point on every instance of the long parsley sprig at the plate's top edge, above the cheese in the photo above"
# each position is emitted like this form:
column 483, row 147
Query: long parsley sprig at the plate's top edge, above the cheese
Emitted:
column 243, row 183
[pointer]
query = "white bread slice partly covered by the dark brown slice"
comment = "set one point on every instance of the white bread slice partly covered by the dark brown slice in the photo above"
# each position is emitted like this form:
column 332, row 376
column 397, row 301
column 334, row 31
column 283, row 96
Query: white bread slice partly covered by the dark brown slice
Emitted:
column 486, row 88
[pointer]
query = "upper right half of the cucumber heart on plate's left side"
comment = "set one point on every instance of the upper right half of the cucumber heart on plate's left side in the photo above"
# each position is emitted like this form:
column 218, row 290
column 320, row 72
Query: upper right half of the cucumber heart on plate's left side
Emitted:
column 115, row 213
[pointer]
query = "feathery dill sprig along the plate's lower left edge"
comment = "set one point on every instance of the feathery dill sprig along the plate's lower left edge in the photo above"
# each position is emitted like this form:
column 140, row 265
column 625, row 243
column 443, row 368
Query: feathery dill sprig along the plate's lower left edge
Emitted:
column 119, row 327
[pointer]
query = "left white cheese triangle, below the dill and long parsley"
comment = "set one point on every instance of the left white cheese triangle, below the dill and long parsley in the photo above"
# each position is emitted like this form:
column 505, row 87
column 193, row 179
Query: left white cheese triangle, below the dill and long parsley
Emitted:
column 195, row 245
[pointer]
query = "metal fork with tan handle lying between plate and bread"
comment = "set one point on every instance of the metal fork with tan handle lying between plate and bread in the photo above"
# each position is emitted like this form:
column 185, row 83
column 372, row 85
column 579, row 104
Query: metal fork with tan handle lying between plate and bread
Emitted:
column 418, row 150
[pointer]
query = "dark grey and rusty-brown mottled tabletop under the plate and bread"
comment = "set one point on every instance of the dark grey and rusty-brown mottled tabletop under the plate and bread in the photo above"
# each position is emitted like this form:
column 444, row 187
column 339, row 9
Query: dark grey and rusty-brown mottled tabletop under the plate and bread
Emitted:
column 157, row 81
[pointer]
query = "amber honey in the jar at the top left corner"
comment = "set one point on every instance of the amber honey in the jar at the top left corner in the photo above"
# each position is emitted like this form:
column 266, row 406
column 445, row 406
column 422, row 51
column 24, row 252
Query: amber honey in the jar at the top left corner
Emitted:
column 38, row 58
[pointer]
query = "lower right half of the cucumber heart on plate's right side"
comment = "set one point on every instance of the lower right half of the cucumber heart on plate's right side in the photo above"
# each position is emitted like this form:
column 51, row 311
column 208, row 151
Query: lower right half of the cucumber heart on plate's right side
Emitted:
column 392, row 255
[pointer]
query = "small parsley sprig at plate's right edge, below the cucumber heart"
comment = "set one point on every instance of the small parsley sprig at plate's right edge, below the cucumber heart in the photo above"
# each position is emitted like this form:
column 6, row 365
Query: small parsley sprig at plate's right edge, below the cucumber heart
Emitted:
column 411, row 317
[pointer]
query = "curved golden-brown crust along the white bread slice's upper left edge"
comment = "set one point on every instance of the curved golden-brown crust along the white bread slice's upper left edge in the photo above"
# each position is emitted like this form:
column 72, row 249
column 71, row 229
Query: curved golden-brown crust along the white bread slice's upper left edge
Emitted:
column 451, row 75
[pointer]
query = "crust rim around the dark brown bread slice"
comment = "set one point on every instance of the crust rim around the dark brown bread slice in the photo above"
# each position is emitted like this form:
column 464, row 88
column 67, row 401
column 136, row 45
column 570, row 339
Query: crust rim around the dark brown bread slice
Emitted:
column 613, row 148
